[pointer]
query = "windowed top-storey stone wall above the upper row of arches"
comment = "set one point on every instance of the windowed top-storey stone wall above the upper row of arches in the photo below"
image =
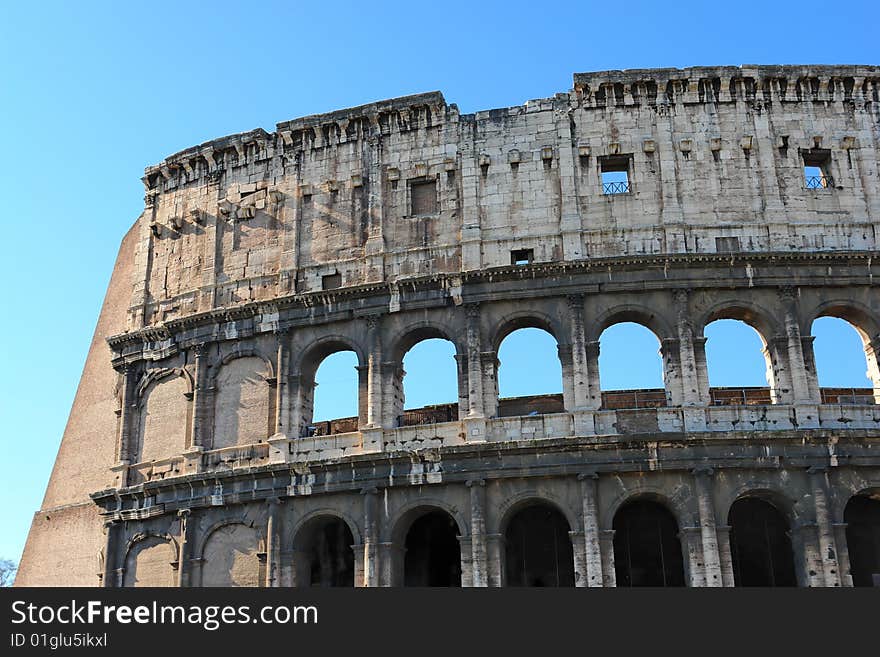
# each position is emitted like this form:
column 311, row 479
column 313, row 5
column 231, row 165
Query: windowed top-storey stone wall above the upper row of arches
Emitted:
column 409, row 187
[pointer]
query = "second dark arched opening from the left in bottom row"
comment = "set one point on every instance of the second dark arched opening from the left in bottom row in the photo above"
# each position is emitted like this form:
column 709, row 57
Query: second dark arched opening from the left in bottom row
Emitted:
column 433, row 553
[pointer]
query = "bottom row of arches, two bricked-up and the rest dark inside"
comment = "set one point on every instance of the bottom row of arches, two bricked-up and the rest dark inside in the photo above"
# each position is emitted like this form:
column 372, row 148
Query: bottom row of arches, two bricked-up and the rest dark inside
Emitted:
column 537, row 548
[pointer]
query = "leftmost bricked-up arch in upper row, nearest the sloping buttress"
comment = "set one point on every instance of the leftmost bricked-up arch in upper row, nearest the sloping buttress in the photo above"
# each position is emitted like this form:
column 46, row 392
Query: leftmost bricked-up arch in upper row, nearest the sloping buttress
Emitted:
column 164, row 417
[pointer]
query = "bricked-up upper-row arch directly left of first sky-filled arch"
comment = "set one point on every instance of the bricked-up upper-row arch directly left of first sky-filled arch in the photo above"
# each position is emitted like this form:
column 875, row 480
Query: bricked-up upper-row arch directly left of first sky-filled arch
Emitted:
column 243, row 399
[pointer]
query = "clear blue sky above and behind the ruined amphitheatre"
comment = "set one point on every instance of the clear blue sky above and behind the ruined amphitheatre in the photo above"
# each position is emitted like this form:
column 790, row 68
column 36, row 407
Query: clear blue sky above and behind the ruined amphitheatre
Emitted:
column 92, row 92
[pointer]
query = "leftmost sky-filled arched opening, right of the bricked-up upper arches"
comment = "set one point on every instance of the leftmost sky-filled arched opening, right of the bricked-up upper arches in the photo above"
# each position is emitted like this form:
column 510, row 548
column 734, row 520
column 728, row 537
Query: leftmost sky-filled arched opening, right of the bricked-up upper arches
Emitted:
column 334, row 403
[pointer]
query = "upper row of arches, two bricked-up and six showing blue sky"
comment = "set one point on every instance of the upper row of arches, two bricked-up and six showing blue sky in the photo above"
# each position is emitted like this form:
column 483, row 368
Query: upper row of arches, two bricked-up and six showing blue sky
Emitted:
column 239, row 397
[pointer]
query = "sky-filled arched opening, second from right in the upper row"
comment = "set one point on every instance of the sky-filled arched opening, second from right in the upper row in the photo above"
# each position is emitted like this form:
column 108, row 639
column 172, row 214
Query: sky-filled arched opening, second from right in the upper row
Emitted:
column 738, row 363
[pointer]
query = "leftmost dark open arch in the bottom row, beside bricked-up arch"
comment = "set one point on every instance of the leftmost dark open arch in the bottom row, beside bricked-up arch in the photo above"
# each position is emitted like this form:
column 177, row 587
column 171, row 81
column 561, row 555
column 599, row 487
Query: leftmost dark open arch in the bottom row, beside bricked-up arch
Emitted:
column 330, row 555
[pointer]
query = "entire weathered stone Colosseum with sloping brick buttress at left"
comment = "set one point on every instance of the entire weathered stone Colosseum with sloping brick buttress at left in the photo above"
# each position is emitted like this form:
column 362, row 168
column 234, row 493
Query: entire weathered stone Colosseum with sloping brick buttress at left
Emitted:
column 669, row 198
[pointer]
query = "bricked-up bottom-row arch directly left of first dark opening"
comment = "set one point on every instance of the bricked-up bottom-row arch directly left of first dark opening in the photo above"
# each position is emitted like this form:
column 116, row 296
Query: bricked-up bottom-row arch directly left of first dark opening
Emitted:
column 233, row 554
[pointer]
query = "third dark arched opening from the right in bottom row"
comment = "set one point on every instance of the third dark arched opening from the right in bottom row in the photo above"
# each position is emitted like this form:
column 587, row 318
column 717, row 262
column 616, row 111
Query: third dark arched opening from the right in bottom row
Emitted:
column 647, row 551
